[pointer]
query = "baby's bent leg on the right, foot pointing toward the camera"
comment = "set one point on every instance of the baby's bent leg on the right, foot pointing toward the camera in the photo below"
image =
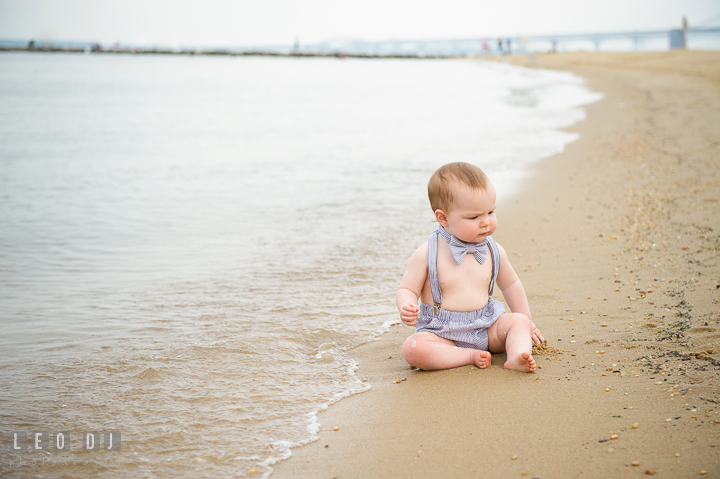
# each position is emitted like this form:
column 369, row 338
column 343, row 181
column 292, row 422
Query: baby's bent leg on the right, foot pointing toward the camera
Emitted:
column 511, row 333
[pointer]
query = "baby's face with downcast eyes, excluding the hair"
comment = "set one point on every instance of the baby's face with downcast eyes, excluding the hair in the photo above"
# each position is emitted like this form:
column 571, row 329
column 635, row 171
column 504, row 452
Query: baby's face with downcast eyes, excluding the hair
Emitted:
column 472, row 215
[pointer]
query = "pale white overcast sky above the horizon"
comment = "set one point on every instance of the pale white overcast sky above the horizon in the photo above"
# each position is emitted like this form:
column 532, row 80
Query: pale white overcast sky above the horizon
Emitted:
column 279, row 22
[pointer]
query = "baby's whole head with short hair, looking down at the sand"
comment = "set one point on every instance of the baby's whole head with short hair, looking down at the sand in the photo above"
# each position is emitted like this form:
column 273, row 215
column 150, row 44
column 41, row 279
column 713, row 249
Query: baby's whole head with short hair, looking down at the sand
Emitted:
column 463, row 200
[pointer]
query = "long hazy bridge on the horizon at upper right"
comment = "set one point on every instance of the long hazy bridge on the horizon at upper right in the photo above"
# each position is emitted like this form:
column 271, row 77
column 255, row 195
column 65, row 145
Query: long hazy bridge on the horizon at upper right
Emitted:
column 505, row 44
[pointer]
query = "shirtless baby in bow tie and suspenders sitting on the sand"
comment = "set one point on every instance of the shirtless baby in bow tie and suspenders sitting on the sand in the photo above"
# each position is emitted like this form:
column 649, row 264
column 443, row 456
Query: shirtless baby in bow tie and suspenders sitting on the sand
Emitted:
column 458, row 323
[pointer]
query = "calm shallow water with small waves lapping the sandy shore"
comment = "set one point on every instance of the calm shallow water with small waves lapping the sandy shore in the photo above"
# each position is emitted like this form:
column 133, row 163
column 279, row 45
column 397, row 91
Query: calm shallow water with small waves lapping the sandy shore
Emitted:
column 190, row 247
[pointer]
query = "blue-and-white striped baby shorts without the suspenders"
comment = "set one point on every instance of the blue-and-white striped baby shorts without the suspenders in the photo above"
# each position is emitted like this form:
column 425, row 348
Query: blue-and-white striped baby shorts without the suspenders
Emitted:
column 468, row 329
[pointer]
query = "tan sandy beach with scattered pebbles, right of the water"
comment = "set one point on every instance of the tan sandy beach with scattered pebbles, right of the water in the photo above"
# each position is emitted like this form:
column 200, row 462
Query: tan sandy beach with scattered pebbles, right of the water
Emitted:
column 616, row 241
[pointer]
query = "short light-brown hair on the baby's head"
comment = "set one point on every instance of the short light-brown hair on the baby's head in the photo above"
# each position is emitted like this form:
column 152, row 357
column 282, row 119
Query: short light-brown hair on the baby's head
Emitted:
column 440, row 186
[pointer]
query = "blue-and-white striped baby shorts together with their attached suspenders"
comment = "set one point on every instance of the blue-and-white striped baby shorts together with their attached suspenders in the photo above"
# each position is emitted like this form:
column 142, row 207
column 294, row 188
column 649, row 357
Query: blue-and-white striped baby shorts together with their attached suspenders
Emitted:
column 468, row 329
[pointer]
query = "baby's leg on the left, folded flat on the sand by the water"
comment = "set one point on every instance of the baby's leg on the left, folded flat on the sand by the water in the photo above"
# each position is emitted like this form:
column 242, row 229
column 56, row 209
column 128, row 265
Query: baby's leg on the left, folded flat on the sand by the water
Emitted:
column 428, row 351
